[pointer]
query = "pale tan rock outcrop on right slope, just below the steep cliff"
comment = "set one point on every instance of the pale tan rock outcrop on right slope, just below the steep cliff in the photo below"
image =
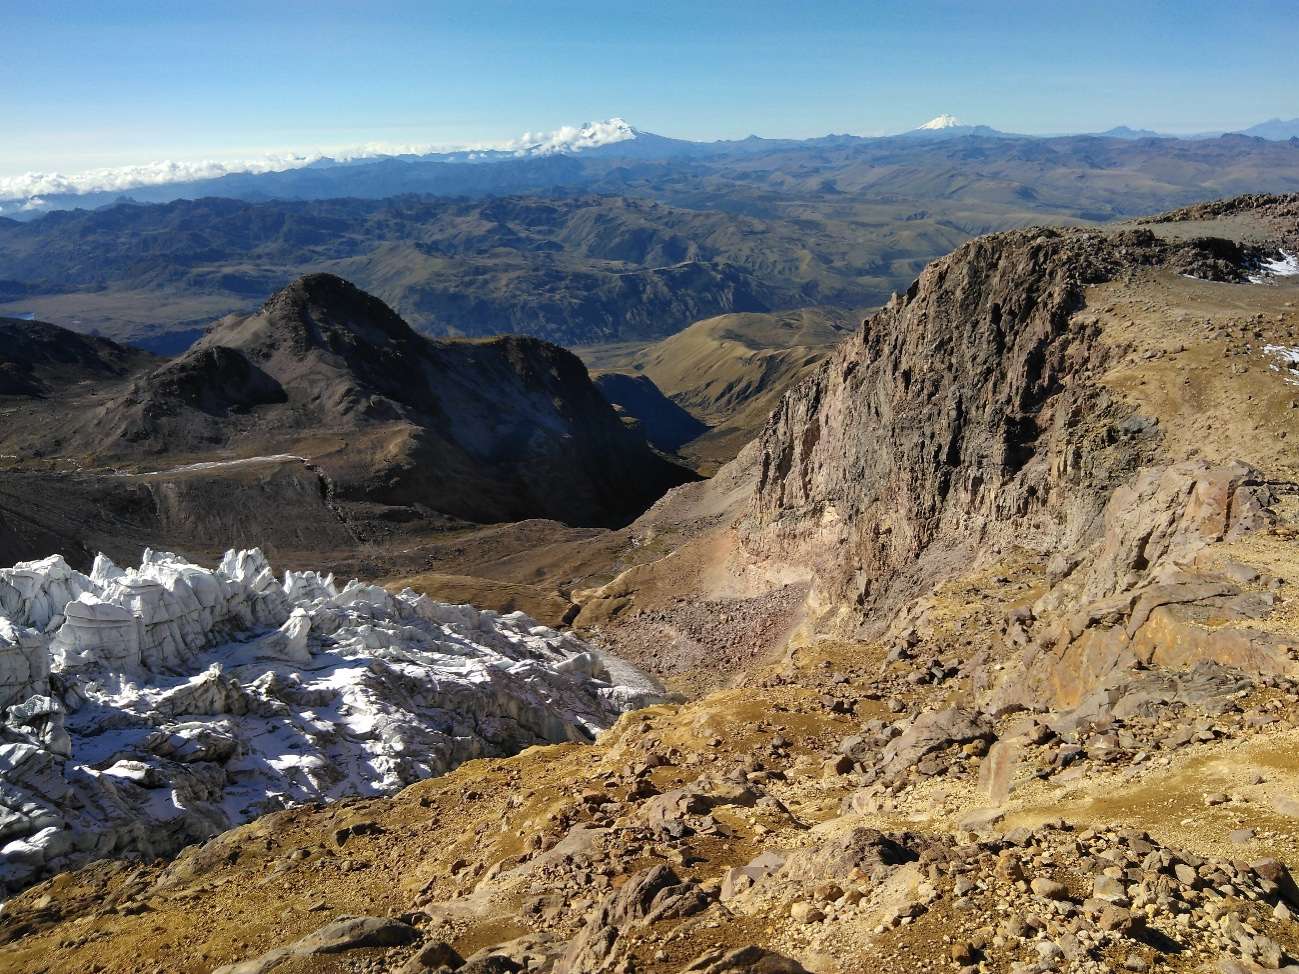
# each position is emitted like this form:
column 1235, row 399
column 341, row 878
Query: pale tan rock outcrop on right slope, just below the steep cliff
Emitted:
column 1139, row 595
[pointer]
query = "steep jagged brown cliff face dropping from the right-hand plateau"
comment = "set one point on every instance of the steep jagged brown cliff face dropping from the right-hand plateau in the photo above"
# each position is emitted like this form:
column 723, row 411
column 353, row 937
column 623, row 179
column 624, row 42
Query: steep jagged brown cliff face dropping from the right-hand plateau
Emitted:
column 963, row 414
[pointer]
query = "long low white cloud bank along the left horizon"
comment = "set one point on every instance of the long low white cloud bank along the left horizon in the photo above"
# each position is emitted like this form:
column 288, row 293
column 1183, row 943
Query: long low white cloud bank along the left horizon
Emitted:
column 31, row 186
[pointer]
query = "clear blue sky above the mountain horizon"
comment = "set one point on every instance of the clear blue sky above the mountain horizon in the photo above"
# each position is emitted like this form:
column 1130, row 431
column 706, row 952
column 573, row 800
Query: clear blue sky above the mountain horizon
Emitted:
column 114, row 82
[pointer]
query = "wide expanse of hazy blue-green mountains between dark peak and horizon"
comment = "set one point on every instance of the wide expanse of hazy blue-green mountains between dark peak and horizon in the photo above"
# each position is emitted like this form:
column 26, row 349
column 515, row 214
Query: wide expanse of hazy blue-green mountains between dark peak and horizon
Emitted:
column 666, row 241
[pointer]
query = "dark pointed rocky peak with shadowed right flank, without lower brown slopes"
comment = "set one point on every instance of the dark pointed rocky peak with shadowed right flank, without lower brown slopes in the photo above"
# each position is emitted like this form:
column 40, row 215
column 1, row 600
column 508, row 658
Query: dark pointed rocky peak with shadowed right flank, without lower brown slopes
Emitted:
column 494, row 431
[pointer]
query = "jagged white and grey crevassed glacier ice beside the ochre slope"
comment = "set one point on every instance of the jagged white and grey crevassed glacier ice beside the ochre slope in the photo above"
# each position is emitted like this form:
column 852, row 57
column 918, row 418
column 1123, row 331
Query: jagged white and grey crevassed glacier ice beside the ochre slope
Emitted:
column 153, row 707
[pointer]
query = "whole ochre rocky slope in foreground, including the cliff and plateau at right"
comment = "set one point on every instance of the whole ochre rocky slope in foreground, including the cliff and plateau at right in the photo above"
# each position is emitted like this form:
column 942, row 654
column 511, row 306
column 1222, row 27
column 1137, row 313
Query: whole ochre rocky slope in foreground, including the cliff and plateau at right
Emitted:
column 992, row 662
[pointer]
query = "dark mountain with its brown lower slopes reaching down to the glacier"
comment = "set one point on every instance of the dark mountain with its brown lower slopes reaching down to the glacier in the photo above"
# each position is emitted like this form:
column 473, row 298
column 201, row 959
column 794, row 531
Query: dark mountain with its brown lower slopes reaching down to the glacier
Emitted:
column 323, row 423
